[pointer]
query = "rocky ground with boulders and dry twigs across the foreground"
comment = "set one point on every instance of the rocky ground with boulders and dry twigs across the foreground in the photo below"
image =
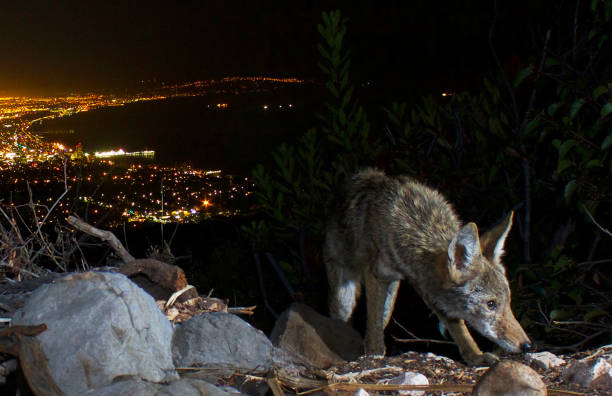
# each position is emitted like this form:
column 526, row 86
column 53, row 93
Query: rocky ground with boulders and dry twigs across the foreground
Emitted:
column 185, row 344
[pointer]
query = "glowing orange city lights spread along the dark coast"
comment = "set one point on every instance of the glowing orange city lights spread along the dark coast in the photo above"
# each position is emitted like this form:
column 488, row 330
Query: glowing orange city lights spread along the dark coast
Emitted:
column 27, row 154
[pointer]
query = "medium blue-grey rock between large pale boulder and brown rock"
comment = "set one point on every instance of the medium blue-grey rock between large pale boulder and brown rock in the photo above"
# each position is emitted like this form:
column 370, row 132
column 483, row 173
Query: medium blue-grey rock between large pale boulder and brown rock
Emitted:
column 219, row 339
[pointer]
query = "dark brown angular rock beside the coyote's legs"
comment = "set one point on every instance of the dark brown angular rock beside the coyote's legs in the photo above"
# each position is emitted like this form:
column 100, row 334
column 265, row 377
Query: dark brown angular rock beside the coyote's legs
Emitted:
column 314, row 339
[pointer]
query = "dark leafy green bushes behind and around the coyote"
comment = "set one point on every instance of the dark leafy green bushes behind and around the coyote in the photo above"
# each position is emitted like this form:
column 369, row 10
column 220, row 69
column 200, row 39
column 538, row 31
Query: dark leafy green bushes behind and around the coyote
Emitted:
column 536, row 140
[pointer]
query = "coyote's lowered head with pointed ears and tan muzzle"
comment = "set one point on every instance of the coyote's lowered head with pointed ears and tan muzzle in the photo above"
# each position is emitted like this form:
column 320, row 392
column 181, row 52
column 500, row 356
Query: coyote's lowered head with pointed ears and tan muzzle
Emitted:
column 479, row 283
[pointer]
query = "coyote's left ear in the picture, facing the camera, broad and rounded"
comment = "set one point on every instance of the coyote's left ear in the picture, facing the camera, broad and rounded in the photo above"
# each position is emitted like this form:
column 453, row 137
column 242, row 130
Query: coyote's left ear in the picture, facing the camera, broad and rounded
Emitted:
column 463, row 252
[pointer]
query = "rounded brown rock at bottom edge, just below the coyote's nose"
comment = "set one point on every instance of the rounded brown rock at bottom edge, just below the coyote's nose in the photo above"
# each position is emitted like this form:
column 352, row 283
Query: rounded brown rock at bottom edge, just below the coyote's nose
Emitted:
column 510, row 378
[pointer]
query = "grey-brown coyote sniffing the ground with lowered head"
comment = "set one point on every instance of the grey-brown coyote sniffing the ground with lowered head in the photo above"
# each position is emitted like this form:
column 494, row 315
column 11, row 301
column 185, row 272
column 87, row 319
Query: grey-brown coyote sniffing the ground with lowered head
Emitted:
column 386, row 229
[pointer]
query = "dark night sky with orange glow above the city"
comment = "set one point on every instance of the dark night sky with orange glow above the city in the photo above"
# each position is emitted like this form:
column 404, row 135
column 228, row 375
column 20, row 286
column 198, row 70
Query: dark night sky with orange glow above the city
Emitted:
column 58, row 47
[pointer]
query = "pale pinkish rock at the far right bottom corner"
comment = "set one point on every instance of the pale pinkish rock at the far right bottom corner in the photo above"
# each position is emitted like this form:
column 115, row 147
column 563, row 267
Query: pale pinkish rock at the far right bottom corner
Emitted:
column 593, row 372
